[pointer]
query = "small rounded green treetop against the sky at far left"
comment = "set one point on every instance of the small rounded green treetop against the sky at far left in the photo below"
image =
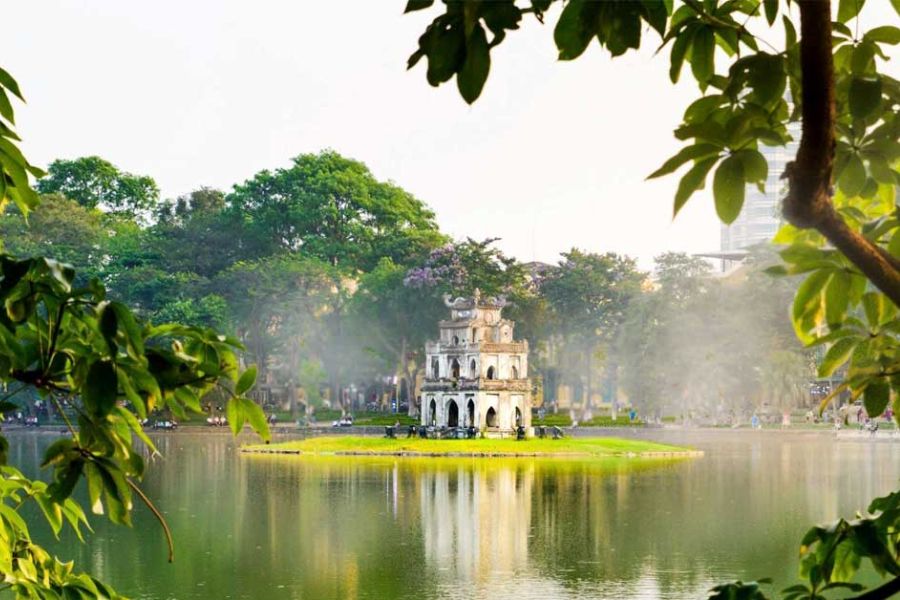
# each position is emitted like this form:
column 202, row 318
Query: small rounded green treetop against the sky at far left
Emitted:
column 96, row 183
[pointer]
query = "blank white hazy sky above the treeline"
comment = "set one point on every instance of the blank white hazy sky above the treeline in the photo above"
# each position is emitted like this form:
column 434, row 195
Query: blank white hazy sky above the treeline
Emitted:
column 552, row 156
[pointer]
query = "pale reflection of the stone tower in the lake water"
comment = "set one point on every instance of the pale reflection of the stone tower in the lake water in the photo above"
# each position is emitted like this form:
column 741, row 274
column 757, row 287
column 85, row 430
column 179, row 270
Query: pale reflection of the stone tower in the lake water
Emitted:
column 476, row 518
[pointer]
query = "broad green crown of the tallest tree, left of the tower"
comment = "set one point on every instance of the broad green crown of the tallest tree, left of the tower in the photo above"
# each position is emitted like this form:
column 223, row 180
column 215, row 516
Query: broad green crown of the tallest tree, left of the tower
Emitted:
column 335, row 210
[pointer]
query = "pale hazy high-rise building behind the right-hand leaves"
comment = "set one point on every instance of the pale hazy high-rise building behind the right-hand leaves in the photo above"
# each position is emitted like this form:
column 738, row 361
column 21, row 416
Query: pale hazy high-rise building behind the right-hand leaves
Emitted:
column 761, row 217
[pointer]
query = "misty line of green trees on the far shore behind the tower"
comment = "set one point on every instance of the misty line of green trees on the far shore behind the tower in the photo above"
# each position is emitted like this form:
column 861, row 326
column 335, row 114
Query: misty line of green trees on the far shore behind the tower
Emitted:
column 333, row 280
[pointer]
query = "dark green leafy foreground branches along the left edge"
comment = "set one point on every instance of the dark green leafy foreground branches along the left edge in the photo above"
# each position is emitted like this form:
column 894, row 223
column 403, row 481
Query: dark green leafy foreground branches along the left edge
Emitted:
column 72, row 345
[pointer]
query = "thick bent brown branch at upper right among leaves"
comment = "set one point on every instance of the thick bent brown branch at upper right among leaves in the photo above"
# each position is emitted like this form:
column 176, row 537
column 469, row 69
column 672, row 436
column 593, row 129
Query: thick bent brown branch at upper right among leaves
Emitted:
column 808, row 203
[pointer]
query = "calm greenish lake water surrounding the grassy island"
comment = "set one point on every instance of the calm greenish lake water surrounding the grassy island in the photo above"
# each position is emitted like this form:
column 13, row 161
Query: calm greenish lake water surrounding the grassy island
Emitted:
column 344, row 528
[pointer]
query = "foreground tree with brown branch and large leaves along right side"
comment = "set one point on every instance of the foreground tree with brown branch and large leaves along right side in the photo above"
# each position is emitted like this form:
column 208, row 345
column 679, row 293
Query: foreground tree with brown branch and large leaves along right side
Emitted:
column 844, row 242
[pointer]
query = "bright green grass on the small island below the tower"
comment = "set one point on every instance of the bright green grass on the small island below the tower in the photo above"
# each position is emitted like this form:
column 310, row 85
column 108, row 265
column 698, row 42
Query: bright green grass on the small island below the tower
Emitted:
column 348, row 445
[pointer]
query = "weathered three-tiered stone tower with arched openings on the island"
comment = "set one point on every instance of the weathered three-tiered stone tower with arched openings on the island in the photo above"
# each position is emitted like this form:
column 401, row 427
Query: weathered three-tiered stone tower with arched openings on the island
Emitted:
column 476, row 373
